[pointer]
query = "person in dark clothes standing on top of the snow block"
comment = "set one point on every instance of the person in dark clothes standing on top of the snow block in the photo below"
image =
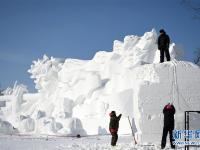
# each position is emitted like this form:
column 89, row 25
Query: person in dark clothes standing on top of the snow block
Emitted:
column 163, row 45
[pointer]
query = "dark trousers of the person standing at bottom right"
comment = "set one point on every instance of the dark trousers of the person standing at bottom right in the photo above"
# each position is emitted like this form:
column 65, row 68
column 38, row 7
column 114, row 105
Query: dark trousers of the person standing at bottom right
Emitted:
column 164, row 136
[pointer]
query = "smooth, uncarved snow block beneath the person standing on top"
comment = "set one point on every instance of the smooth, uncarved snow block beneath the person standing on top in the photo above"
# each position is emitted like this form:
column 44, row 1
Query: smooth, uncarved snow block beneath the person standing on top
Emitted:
column 178, row 84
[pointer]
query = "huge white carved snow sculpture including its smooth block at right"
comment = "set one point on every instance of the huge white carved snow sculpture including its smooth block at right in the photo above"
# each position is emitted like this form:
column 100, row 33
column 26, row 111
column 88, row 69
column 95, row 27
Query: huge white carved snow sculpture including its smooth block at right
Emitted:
column 76, row 96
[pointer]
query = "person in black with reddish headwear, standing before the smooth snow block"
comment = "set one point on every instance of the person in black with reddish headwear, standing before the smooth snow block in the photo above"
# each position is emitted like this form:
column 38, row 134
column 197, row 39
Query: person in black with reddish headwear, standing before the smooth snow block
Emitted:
column 168, row 112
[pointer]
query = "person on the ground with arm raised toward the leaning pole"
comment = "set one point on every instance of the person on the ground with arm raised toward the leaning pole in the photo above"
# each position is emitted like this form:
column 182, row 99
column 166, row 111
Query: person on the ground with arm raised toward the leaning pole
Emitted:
column 113, row 127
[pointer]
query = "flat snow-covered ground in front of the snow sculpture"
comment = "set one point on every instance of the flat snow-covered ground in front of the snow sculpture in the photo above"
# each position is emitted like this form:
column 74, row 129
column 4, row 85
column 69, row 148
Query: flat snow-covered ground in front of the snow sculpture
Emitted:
column 69, row 143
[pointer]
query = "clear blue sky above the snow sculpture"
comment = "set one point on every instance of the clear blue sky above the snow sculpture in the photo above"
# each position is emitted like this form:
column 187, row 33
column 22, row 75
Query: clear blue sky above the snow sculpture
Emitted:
column 79, row 28
